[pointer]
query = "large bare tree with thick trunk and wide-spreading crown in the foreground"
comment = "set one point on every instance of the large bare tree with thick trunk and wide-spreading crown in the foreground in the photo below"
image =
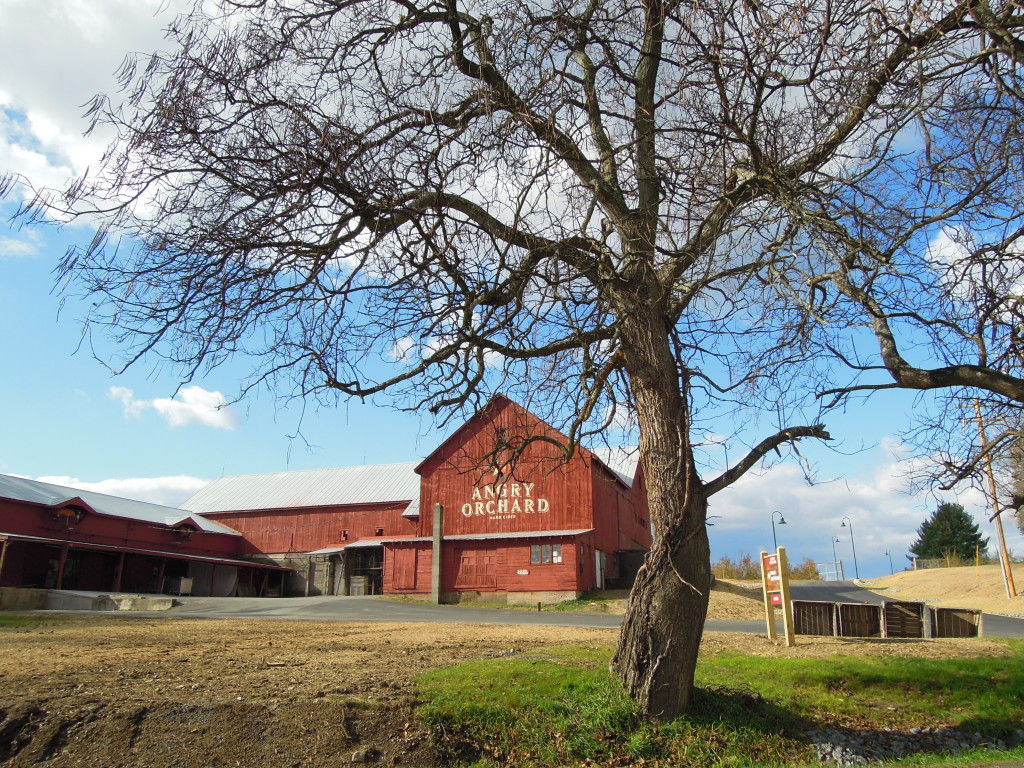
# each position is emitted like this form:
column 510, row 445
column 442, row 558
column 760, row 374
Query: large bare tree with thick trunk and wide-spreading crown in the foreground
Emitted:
column 593, row 206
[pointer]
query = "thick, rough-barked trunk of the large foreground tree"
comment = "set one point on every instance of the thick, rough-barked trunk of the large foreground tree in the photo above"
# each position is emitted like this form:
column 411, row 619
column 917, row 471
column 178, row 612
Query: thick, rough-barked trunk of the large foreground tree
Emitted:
column 658, row 648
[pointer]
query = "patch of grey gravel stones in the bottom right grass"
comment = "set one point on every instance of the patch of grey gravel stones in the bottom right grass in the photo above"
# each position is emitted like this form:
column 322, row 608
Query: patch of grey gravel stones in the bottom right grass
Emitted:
column 848, row 747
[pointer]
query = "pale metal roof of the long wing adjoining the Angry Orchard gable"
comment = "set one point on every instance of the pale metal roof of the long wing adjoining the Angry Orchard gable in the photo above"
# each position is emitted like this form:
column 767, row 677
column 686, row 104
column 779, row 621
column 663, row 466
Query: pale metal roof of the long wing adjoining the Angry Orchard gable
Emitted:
column 313, row 488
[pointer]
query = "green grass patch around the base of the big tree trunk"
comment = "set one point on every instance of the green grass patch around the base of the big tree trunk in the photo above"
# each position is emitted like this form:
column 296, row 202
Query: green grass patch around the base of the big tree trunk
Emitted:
column 561, row 707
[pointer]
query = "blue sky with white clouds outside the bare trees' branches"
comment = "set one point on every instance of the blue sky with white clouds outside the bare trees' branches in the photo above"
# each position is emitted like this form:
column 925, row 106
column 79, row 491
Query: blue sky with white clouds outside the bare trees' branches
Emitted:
column 66, row 418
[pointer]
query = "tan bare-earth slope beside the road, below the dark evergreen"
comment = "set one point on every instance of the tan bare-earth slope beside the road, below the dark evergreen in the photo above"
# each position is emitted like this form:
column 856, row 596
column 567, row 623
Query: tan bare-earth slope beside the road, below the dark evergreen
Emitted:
column 979, row 588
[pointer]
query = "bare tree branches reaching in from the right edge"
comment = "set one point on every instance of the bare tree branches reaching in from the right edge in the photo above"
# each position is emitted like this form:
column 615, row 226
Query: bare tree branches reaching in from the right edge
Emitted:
column 928, row 246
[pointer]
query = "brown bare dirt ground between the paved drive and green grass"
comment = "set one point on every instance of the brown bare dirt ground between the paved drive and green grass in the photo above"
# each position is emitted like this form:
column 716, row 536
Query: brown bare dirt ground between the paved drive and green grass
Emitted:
column 199, row 694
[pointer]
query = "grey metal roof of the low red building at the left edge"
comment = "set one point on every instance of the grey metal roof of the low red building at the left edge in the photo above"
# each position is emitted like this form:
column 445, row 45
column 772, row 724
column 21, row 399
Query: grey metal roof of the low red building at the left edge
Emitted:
column 24, row 490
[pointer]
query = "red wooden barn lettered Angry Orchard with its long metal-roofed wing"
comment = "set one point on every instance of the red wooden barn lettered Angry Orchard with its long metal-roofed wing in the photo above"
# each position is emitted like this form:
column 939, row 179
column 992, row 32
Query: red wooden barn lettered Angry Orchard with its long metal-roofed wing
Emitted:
column 520, row 523
